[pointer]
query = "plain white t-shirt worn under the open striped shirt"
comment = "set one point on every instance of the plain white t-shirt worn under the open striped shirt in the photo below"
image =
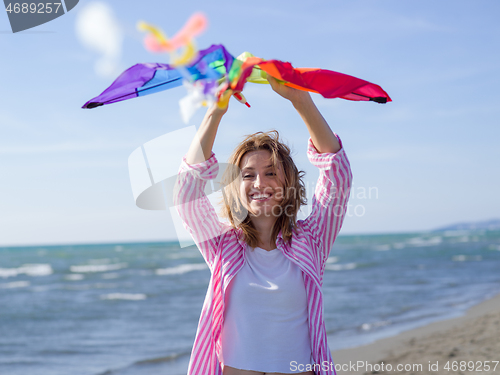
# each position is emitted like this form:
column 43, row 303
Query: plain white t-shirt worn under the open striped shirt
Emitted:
column 265, row 318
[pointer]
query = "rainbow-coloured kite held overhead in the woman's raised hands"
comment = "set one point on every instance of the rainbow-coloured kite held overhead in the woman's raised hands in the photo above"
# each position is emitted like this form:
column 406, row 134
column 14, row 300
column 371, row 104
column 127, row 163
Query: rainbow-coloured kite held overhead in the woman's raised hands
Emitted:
column 210, row 73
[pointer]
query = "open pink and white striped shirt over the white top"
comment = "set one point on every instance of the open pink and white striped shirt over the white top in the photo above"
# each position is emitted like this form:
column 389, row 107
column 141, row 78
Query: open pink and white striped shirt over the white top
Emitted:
column 222, row 247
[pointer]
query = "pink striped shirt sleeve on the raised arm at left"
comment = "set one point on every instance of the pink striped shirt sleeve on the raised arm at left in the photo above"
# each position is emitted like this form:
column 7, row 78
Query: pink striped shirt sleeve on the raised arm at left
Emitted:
column 197, row 213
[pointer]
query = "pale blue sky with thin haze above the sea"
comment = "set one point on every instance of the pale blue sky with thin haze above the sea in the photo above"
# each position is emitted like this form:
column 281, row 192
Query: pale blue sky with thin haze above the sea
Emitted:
column 431, row 155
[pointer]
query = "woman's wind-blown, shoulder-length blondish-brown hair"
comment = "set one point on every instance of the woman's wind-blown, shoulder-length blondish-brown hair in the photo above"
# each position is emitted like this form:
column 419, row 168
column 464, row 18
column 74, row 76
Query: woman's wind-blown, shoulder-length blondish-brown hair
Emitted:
column 294, row 190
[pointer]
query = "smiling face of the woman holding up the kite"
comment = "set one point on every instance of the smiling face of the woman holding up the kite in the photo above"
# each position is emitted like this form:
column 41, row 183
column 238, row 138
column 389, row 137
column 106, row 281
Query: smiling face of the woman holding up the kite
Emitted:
column 262, row 187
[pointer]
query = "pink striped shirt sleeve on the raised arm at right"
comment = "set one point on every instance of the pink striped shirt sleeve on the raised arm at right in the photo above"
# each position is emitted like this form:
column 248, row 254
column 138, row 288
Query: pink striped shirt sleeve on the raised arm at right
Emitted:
column 329, row 203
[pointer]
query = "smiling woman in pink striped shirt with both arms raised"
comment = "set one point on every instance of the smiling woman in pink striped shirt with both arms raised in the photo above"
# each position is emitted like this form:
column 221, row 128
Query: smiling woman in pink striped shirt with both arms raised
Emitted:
column 263, row 312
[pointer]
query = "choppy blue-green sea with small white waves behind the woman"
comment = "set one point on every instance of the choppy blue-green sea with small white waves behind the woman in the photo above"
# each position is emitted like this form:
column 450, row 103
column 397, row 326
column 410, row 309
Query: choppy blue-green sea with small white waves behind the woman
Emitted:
column 133, row 308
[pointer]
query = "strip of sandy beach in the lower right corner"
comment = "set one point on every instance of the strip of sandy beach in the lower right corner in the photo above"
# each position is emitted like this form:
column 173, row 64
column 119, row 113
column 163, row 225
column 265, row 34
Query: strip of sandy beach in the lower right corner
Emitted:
column 474, row 337
